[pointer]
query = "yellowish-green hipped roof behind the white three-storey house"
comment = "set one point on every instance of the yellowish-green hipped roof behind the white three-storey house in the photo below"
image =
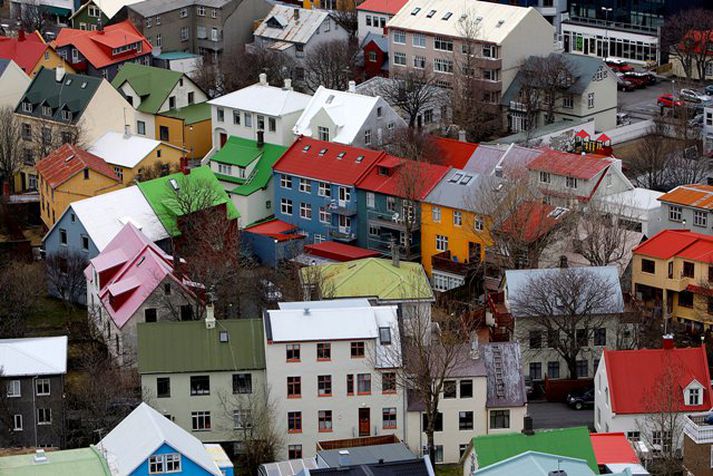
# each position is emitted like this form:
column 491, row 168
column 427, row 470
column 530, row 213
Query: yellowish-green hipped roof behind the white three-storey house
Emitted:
column 372, row 277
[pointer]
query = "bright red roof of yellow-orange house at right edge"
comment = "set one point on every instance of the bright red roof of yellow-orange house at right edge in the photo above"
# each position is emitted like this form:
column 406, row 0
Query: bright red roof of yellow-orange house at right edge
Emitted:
column 681, row 243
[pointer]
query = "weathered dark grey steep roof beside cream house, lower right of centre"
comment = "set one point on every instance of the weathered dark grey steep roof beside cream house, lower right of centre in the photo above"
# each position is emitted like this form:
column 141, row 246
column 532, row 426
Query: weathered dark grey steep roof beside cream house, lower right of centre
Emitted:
column 506, row 385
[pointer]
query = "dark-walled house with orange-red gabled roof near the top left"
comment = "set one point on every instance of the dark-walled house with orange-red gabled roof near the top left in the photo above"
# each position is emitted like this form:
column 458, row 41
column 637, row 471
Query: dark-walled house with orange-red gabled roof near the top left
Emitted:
column 101, row 52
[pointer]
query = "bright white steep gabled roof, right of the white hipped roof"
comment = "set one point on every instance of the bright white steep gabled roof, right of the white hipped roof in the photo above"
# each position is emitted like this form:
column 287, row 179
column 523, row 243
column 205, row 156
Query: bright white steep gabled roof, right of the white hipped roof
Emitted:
column 348, row 111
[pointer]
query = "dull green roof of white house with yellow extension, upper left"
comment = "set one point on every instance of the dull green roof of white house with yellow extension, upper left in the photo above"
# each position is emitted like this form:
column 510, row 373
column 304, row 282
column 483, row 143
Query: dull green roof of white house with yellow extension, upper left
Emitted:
column 152, row 84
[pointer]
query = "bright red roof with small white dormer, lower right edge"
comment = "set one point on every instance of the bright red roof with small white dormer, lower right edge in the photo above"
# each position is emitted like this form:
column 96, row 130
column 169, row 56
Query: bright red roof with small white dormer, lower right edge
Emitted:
column 634, row 375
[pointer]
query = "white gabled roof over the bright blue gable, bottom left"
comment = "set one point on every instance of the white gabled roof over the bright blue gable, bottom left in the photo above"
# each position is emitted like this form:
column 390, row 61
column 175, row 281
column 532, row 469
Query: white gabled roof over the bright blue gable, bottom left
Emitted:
column 144, row 431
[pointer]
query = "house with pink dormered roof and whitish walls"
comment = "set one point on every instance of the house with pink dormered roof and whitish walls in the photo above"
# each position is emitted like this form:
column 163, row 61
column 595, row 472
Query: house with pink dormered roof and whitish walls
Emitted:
column 131, row 281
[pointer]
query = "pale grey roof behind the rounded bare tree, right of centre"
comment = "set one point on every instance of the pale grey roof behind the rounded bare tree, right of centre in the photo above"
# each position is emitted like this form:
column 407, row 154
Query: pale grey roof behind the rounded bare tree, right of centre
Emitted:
column 518, row 281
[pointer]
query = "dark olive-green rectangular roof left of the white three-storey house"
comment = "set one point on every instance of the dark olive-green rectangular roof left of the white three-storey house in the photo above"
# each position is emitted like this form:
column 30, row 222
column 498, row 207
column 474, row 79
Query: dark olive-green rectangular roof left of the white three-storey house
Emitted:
column 187, row 346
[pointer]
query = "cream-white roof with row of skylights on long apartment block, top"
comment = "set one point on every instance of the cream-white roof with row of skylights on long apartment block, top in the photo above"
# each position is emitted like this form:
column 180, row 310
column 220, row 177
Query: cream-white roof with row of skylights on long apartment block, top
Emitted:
column 497, row 21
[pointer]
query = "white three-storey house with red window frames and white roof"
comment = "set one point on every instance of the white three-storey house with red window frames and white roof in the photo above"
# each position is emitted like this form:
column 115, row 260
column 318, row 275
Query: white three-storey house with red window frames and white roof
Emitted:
column 329, row 366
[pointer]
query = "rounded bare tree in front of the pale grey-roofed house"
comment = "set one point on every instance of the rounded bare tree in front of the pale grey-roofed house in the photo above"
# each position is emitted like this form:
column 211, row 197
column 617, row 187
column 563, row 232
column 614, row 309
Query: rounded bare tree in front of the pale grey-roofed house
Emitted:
column 569, row 305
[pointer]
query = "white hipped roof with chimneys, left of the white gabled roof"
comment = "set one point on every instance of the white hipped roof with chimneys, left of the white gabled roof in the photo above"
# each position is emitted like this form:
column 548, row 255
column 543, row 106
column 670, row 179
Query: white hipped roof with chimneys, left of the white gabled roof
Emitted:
column 264, row 99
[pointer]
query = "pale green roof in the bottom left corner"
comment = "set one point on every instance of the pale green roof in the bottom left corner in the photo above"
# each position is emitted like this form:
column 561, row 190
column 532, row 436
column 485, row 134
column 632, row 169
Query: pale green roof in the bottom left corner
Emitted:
column 79, row 462
